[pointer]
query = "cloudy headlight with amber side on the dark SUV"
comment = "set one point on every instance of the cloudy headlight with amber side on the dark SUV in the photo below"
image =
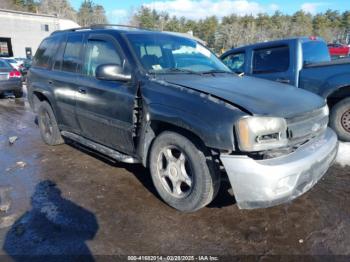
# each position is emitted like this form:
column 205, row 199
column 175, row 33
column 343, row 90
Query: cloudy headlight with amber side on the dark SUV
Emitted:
column 261, row 133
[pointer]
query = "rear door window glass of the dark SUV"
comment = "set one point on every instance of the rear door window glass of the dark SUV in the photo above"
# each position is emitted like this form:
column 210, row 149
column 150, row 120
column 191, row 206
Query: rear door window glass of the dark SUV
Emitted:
column 71, row 58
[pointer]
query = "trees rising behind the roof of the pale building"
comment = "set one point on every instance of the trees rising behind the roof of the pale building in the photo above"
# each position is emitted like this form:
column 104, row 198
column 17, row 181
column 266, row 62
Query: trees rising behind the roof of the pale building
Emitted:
column 88, row 13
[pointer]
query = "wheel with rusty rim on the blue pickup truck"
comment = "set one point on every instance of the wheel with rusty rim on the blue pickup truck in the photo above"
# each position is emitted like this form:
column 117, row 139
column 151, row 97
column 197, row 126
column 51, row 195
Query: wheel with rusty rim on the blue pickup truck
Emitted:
column 340, row 119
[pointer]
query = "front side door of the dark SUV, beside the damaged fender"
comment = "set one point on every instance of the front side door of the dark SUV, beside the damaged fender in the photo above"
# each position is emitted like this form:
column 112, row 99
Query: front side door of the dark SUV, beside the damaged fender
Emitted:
column 105, row 108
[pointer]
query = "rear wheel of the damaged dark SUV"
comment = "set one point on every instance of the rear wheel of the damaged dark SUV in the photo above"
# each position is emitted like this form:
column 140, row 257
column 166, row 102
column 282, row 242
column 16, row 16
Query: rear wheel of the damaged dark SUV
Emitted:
column 49, row 130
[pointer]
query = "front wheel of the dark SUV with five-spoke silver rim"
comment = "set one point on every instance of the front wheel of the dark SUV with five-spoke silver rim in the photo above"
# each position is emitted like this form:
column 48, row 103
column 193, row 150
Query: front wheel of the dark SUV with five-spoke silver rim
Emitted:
column 183, row 172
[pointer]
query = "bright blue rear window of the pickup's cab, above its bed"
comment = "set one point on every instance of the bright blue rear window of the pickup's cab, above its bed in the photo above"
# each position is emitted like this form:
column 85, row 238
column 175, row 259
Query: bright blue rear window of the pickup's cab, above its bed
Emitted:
column 315, row 52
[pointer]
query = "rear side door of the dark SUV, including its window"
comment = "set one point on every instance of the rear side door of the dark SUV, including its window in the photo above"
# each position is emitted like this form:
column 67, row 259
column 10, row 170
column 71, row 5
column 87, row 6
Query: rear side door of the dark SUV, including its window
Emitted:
column 63, row 78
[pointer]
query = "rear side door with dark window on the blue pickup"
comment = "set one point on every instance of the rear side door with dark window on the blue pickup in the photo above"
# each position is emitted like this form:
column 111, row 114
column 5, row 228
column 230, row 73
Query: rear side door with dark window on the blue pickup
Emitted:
column 274, row 63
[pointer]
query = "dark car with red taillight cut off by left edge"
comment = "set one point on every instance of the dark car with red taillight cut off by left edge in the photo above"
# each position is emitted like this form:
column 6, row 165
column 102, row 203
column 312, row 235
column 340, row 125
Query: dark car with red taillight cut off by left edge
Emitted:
column 10, row 79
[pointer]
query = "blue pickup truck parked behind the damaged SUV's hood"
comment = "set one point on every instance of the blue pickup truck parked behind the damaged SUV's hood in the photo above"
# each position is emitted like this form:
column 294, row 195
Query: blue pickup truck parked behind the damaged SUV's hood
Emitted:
column 304, row 63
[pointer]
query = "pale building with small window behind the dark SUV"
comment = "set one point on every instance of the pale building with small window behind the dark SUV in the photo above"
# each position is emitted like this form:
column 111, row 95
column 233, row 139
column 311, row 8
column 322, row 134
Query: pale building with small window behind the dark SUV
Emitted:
column 22, row 32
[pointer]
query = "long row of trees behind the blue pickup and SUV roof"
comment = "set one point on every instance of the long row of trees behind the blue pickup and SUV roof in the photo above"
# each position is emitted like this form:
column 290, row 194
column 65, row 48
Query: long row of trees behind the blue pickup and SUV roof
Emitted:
column 232, row 31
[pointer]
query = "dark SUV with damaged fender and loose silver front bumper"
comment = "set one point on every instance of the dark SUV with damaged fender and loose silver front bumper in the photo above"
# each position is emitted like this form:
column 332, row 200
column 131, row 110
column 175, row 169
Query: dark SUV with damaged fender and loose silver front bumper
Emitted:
column 167, row 102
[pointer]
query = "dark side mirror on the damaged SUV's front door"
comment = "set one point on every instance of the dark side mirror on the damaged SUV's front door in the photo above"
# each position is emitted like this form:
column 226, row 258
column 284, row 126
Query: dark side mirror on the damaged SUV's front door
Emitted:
column 112, row 72
